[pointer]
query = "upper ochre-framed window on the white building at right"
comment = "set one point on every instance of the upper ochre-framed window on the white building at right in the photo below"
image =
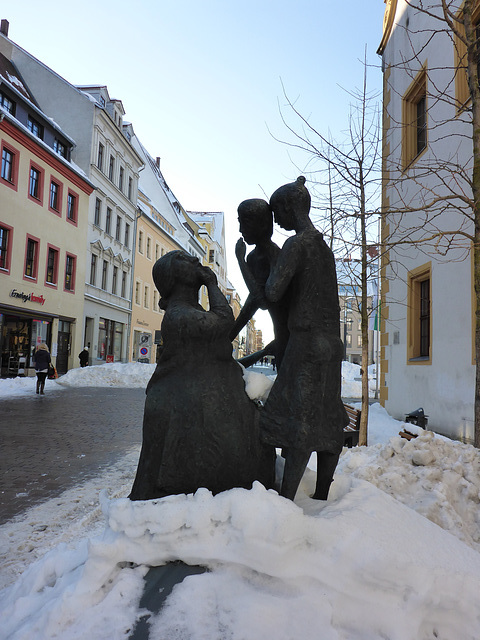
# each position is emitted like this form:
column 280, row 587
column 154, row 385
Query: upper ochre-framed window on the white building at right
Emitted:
column 414, row 130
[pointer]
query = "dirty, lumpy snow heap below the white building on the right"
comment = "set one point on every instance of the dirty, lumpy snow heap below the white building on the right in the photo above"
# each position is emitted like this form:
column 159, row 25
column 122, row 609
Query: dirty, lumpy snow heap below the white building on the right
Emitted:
column 437, row 477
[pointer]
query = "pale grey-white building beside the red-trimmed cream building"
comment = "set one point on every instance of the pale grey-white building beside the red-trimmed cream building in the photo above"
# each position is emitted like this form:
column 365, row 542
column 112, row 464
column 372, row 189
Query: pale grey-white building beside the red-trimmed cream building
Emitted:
column 110, row 162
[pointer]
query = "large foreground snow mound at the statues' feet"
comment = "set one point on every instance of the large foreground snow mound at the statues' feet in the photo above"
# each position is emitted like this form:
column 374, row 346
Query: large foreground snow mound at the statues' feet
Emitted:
column 332, row 569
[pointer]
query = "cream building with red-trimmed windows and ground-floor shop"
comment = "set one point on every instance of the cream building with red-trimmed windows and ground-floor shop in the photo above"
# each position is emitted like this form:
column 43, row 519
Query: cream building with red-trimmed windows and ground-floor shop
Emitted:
column 44, row 201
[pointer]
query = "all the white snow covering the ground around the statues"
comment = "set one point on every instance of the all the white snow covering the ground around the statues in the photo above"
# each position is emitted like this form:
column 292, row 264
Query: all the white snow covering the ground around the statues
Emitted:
column 394, row 553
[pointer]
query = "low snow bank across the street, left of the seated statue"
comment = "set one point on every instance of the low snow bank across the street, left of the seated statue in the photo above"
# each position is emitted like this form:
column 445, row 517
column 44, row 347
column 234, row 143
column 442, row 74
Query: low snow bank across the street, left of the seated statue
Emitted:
column 114, row 374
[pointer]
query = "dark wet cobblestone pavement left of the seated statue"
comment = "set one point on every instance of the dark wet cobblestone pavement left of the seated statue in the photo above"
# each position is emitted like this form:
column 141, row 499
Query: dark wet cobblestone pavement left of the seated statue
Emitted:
column 53, row 442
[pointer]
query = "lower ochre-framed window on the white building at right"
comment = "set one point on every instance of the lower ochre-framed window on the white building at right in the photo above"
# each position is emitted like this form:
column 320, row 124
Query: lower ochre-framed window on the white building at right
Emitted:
column 419, row 316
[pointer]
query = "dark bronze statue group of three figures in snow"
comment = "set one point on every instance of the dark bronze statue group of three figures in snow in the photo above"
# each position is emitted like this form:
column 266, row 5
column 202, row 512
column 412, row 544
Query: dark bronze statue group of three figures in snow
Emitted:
column 200, row 428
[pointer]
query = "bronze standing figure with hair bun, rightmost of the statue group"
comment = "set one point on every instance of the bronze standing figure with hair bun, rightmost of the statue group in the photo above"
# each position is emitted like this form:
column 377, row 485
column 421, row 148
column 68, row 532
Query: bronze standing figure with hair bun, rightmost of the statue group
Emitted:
column 304, row 411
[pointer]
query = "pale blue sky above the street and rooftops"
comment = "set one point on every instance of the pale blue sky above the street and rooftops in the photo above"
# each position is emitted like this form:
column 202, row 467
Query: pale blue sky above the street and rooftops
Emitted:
column 201, row 80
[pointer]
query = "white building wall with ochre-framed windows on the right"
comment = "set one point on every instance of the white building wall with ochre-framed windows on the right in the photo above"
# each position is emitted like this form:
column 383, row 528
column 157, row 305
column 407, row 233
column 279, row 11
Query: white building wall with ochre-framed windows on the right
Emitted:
column 427, row 352
